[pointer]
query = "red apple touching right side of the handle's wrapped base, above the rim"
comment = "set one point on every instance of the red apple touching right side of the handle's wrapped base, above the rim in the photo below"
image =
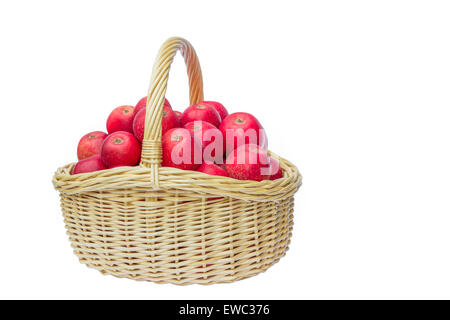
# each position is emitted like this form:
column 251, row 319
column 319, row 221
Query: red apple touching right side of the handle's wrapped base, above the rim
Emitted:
column 181, row 150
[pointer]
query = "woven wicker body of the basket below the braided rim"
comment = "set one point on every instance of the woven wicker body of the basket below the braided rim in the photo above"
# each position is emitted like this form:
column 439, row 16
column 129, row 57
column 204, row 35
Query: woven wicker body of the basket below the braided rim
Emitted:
column 202, row 241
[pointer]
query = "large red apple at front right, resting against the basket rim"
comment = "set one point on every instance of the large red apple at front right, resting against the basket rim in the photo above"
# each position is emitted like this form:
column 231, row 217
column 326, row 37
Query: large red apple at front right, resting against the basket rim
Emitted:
column 248, row 162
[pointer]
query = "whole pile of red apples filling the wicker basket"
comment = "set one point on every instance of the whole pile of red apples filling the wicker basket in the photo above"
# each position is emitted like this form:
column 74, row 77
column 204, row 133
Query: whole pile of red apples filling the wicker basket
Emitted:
column 204, row 138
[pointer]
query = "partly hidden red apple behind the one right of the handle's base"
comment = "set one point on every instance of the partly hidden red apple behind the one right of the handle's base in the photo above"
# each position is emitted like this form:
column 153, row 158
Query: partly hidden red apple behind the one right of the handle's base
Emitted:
column 209, row 137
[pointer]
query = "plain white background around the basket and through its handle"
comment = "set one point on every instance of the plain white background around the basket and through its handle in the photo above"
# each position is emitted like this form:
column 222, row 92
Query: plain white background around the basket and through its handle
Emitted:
column 355, row 93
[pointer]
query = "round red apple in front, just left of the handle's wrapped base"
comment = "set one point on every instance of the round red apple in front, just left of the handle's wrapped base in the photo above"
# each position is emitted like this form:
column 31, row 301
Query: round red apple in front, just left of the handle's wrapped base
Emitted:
column 121, row 148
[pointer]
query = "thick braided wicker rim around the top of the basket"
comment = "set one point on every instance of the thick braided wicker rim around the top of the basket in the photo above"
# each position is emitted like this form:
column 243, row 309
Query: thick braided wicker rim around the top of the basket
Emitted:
column 177, row 180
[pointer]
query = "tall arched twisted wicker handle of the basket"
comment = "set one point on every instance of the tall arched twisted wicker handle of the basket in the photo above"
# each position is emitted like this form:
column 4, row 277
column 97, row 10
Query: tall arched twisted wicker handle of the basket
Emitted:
column 151, row 156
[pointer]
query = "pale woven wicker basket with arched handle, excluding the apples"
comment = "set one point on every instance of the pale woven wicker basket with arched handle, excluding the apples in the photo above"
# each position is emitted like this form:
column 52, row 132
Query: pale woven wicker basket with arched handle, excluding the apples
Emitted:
column 168, row 225
